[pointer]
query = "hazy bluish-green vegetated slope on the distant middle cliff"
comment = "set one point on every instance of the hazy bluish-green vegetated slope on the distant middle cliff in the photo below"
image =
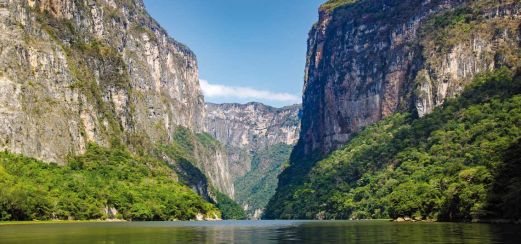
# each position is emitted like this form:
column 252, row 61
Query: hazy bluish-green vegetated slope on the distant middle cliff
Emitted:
column 259, row 184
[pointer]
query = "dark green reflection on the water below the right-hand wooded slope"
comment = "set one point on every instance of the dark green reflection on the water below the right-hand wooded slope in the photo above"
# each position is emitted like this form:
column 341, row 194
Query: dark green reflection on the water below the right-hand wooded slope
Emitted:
column 385, row 232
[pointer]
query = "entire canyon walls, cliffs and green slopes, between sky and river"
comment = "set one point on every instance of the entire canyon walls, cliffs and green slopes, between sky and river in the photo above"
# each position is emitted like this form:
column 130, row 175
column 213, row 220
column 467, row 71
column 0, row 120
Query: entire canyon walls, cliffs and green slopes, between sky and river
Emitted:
column 397, row 98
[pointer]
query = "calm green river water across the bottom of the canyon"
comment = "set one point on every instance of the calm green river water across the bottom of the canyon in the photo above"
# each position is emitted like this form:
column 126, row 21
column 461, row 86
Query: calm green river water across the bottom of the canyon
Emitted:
column 261, row 232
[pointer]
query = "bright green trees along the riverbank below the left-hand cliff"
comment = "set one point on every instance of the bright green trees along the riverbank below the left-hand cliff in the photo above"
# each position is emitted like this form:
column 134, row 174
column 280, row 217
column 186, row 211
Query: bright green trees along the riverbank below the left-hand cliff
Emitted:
column 140, row 188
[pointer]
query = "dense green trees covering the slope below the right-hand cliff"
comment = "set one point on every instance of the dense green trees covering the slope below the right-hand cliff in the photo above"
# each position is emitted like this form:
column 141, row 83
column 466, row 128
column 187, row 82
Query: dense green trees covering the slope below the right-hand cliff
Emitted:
column 442, row 166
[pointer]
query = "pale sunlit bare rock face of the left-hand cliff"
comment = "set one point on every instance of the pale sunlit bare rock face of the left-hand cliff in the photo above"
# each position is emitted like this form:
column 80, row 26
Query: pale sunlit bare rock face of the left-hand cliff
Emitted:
column 101, row 71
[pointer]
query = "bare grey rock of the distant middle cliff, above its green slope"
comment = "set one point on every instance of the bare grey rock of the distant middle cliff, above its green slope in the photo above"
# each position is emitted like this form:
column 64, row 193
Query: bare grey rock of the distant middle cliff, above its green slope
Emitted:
column 245, row 129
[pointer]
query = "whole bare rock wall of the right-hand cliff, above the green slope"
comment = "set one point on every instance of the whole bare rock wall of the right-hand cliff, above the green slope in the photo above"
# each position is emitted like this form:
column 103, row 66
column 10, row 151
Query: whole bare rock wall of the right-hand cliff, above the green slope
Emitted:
column 369, row 59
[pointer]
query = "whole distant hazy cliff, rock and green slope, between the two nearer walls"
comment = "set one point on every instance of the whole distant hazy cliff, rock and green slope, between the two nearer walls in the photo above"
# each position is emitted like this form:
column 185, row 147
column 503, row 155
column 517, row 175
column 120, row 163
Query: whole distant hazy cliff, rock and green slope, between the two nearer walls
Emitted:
column 258, row 139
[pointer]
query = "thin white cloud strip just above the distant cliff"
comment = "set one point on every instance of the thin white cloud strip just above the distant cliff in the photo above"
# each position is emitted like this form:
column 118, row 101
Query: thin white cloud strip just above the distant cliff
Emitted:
column 245, row 93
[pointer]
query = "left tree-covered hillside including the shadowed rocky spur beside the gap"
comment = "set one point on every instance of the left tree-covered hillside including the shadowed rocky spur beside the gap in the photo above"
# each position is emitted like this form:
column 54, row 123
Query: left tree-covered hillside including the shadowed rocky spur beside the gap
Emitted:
column 113, row 183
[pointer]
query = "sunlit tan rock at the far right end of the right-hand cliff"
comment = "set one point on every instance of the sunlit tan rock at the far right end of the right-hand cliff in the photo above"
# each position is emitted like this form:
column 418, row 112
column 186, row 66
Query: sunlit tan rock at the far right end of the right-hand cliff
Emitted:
column 454, row 54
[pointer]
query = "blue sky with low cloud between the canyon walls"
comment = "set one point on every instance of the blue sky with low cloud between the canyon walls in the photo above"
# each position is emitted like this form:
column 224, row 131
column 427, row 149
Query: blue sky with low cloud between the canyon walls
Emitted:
column 247, row 50
